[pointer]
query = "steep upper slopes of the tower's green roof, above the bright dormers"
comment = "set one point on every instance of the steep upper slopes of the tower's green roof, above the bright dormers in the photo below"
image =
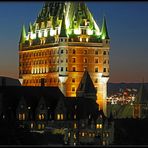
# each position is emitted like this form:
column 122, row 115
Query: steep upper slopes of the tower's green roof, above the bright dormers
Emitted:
column 76, row 14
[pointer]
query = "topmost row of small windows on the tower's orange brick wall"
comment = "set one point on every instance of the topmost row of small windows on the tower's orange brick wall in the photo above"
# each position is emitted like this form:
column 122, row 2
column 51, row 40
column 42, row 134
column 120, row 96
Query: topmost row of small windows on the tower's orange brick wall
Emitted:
column 61, row 51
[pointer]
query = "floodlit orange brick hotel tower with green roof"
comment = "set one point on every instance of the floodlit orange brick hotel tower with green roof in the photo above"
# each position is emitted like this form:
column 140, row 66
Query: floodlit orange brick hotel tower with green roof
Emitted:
column 60, row 45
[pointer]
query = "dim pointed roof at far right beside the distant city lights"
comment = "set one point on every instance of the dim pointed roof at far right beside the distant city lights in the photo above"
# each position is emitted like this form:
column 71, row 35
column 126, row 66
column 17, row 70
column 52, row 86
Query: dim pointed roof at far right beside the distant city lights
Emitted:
column 142, row 96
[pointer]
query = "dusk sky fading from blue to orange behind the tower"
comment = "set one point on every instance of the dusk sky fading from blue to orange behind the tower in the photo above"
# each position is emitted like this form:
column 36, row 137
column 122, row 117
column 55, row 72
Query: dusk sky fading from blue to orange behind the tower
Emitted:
column 127, row 24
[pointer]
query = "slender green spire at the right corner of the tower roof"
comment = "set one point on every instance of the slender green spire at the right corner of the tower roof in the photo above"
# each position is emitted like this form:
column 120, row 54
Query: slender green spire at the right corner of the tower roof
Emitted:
column 104, row 32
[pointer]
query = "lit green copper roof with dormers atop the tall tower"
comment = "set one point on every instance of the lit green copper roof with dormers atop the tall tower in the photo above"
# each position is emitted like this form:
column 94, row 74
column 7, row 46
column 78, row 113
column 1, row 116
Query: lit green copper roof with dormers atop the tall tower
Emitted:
column 70, row 18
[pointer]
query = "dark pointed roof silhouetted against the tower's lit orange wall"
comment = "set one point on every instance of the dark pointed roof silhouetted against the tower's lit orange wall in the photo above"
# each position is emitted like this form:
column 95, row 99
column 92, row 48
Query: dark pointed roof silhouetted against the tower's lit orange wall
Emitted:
column 86, row 85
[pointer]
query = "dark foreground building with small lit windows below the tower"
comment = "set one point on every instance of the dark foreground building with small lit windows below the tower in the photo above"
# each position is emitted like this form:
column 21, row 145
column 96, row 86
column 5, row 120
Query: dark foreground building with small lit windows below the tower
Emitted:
column 46, row 109
